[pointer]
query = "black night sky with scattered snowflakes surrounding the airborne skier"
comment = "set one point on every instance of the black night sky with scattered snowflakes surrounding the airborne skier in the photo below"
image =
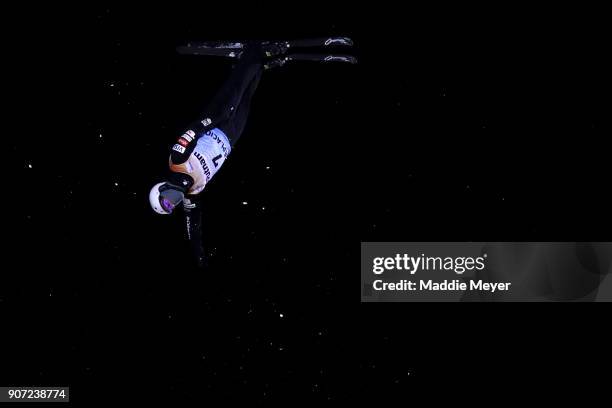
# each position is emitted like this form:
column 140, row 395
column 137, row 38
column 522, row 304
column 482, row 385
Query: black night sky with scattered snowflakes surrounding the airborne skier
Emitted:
column 458, row 124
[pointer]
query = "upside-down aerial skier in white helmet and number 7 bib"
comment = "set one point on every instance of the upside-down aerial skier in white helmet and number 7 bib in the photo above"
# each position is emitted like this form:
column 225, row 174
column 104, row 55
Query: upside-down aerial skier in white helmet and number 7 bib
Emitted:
column 201, row 150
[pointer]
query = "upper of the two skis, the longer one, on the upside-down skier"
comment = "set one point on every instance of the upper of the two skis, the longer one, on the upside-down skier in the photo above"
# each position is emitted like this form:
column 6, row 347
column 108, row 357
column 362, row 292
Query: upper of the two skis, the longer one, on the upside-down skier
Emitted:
column 233, row 49
